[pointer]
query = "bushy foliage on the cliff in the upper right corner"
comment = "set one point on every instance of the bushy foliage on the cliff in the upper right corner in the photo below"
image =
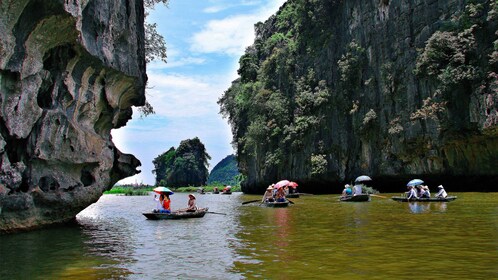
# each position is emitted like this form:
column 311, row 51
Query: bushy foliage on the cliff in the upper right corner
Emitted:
column 453, row 57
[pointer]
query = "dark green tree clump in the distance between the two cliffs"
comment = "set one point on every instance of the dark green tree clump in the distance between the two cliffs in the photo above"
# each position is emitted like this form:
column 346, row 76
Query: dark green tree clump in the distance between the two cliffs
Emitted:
column 185, row 166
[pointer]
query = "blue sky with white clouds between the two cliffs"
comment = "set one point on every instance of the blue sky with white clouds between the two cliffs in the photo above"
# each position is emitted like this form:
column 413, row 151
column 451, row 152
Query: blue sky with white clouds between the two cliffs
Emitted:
column 204, row 40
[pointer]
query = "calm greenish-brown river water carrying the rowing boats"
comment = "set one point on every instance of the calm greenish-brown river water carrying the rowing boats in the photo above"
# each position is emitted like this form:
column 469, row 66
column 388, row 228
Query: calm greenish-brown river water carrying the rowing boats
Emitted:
column 316, row 238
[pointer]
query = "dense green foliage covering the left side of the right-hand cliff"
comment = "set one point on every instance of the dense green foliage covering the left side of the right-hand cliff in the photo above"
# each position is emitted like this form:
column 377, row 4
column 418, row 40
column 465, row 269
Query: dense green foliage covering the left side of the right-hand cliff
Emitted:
column 277, row 106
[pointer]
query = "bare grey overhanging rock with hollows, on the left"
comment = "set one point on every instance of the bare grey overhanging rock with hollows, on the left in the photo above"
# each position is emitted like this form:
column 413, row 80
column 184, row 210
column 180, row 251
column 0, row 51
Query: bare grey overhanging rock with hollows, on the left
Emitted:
column 69, row 73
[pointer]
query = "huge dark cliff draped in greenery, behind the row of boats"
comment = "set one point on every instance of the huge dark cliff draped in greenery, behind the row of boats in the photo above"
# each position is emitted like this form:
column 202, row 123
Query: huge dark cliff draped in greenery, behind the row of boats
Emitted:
column 391, row 89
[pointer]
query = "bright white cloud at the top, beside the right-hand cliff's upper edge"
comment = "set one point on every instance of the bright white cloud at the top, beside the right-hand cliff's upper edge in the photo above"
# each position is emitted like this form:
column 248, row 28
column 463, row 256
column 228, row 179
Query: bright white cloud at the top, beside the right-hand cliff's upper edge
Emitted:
column 233, row 34
